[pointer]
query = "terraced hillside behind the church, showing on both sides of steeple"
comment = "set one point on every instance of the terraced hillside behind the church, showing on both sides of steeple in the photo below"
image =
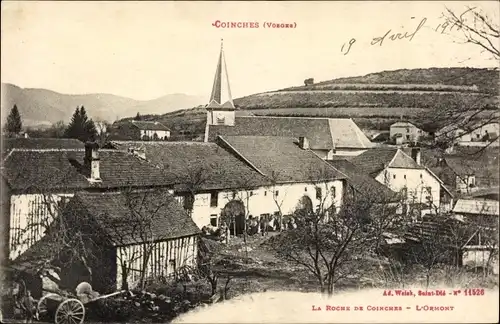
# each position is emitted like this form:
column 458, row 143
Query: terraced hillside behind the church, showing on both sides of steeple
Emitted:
column 374, row 101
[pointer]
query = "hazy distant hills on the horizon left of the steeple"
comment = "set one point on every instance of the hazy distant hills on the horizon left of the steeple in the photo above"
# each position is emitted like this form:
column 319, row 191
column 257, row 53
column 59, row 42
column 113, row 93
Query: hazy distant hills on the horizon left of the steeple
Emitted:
column 41, row 106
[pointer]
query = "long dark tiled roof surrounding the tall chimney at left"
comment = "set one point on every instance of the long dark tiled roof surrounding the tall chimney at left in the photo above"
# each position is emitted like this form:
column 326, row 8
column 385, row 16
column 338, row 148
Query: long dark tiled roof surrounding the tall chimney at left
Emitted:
column 62, row 169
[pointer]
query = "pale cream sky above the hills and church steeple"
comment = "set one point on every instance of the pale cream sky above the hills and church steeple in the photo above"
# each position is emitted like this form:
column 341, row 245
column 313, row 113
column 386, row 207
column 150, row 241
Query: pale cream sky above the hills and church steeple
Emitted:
column 144, row 50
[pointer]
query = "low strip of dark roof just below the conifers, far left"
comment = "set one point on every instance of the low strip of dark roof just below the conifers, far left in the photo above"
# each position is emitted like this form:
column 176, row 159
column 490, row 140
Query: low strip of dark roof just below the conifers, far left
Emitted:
column 40, row 144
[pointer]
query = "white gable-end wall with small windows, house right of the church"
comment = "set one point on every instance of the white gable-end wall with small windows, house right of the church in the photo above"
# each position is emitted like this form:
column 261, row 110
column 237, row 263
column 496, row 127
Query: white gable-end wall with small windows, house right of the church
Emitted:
column 416, row 182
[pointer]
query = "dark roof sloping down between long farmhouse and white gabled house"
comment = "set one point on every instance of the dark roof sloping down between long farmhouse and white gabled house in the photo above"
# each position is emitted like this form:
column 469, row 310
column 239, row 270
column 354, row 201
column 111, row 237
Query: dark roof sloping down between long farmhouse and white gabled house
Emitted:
column 363, row 183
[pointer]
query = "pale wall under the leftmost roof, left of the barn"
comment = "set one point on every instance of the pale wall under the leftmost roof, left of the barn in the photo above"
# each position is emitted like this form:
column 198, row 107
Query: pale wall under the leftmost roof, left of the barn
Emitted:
column 29, row 217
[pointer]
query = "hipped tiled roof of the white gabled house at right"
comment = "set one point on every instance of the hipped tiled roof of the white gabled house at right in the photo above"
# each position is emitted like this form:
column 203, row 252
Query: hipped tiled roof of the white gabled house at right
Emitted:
column 375, row 160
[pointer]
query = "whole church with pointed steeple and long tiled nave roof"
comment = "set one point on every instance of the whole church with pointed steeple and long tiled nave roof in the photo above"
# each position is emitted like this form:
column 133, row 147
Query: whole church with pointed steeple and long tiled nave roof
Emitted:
column 326, row 137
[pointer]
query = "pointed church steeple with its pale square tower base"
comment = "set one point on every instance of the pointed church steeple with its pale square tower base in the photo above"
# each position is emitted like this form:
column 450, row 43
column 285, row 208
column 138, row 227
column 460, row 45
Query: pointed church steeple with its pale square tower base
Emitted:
column 220, row 108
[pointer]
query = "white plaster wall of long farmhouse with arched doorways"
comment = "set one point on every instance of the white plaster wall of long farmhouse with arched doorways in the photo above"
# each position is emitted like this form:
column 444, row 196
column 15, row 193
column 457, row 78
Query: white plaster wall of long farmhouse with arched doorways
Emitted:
column 261, row 201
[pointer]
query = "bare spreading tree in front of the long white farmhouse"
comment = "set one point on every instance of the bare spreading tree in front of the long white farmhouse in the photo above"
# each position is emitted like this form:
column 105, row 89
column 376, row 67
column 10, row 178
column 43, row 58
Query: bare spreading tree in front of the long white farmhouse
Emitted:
column 329, row 242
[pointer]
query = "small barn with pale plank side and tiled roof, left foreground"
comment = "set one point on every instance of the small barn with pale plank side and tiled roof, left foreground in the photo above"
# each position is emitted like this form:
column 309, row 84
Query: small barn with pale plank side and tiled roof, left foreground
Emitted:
column 138, row 236
